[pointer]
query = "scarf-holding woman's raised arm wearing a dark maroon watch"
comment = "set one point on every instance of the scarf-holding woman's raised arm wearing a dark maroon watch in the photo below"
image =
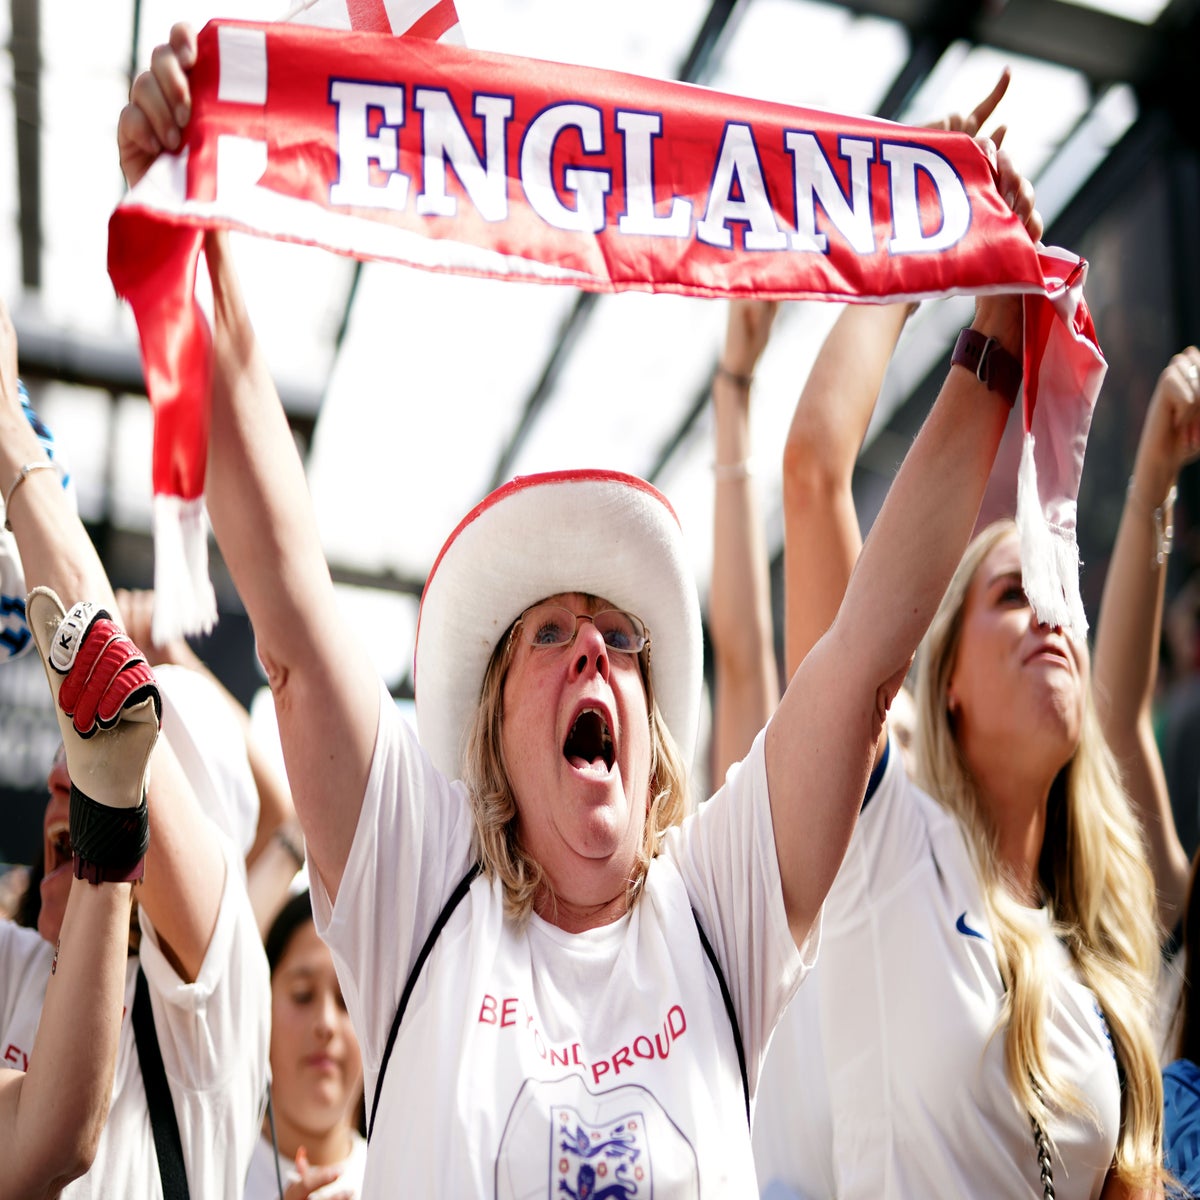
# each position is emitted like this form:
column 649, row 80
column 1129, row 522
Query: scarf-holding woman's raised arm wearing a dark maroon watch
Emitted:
column 820, row 745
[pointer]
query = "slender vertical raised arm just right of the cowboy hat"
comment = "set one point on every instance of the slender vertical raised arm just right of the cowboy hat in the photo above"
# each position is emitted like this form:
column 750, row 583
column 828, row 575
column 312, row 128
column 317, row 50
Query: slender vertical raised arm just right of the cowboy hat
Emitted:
column 746, row 677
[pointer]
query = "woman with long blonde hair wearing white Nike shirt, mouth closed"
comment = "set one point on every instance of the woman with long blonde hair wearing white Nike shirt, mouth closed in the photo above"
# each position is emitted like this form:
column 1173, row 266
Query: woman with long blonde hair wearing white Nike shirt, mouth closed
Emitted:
column 980, row 1024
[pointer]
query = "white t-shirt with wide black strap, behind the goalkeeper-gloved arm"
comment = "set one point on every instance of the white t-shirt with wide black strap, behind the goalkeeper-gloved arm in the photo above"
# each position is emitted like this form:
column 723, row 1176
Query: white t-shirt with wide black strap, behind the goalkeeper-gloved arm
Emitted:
column 214, row 1036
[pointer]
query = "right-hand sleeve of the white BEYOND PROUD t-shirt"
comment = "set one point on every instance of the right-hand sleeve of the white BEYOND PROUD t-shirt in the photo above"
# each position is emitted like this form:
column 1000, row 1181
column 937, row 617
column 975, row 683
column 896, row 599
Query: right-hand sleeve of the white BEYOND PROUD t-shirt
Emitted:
column 727, row 856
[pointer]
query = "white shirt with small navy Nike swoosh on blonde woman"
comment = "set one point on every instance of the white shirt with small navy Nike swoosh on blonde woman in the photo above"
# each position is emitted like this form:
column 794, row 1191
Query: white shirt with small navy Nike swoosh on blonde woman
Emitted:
column 884, row 1079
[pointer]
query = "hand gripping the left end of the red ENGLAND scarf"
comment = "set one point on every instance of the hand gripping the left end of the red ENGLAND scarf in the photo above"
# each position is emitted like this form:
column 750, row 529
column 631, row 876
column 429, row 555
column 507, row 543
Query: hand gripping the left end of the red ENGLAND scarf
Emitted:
column 160, row 105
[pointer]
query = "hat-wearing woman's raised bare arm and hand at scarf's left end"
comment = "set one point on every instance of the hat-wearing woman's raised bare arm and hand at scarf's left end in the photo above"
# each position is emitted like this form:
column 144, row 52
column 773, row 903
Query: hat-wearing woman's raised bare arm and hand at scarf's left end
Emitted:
column 327, row 693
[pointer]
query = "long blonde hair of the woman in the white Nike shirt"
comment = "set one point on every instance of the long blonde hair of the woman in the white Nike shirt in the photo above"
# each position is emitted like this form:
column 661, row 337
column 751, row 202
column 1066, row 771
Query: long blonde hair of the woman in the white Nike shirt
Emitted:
column 1101, row 891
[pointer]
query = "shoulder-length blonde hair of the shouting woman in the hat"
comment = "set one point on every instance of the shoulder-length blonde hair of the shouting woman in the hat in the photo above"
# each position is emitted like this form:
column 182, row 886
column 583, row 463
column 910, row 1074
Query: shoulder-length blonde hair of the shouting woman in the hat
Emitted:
column 494, row 806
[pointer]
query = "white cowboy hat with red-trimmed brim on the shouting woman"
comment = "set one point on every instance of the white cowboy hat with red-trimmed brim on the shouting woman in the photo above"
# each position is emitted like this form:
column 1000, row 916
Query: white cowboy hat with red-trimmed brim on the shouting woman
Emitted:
column 598, row 532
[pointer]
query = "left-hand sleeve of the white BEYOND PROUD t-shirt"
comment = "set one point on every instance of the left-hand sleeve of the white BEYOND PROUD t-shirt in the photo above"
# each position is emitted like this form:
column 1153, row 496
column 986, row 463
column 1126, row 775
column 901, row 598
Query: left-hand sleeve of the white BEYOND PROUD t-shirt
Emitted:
column 411, row 849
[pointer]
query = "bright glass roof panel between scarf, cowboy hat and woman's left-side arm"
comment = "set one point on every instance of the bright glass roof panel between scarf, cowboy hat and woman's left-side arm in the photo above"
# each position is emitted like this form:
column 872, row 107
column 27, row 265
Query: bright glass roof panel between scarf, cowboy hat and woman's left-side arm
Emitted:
column 428, row 389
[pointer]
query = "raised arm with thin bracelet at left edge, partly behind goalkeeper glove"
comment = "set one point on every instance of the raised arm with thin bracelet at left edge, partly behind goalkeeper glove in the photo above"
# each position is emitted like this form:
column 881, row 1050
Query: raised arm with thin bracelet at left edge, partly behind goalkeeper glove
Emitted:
column 182, row 891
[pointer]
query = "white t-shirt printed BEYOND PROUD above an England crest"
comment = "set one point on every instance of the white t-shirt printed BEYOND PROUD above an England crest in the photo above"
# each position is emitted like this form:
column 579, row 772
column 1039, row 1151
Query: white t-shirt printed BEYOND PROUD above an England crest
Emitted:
column 535, row 1063
